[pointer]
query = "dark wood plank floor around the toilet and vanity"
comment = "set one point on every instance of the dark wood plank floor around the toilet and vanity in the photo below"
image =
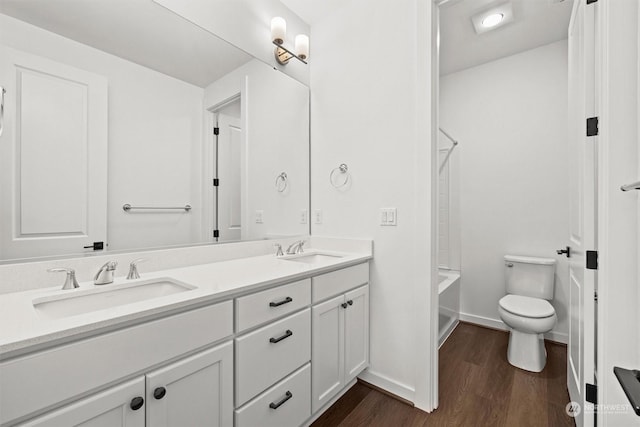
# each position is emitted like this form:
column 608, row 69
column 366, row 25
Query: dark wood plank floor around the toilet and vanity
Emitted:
column 478, row 387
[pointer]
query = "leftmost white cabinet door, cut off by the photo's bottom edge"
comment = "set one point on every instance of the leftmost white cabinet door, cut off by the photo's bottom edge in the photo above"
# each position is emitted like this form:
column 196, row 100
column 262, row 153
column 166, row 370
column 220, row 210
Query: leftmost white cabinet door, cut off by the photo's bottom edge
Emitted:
column 119, row 406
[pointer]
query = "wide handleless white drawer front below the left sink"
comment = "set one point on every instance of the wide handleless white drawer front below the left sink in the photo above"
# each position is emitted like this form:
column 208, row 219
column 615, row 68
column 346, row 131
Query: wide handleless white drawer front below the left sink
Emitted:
column 76, row 368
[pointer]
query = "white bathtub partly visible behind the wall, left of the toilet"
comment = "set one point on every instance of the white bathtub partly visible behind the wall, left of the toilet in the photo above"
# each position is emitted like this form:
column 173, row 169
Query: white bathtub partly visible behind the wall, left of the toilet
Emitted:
column 449, row 303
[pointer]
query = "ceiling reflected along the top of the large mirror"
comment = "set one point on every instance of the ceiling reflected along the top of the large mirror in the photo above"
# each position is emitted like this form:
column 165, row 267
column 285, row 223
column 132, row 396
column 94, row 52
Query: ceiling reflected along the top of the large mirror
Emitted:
column 140, row 31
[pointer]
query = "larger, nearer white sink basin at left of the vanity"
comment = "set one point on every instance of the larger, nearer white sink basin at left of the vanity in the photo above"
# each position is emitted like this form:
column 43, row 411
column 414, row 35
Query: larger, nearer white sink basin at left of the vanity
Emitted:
column 80, row 301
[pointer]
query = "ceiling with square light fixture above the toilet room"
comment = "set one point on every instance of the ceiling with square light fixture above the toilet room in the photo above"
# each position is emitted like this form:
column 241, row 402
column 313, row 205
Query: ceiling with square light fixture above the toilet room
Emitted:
column 536, row 23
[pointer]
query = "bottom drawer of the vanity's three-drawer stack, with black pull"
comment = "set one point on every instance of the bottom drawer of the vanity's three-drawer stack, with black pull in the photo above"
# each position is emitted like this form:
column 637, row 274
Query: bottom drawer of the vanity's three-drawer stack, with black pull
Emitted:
column 287, row 403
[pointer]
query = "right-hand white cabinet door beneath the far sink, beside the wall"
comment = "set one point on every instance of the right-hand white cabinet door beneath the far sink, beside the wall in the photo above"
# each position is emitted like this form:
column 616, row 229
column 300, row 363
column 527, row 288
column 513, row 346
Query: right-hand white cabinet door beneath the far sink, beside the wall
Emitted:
column 356, row 335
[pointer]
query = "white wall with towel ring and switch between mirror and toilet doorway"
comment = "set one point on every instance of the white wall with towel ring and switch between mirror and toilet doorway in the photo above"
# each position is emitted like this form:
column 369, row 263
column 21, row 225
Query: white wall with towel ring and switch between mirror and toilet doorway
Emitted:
column 370, row 95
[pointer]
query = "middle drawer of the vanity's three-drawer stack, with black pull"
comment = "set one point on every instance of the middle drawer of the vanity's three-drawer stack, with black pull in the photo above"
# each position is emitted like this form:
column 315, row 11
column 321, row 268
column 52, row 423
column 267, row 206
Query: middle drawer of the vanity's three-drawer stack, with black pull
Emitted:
column 268, row 354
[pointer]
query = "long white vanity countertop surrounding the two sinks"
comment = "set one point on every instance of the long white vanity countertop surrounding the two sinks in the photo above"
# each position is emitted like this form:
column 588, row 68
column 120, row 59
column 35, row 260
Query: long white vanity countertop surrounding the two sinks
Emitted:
column 23, row 330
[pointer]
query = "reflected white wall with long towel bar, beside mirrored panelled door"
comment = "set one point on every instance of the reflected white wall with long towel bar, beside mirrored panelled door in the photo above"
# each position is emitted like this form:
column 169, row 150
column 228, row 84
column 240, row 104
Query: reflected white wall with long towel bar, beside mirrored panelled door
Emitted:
column 155, row 132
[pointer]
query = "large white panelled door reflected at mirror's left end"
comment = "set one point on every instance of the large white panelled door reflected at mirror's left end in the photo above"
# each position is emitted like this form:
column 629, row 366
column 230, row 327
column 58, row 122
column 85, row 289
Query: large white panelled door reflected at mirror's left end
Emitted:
column 53, row 157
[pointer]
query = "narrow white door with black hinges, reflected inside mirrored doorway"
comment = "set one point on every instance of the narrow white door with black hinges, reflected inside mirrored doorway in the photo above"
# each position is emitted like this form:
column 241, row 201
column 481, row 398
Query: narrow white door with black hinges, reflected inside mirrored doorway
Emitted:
column 229, row 163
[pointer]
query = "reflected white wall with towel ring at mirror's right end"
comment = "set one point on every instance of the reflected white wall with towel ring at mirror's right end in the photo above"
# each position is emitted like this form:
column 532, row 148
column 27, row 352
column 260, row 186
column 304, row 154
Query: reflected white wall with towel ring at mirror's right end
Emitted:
column 275, row 123
